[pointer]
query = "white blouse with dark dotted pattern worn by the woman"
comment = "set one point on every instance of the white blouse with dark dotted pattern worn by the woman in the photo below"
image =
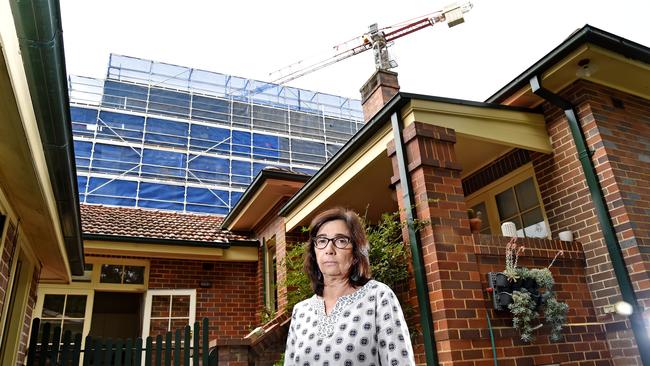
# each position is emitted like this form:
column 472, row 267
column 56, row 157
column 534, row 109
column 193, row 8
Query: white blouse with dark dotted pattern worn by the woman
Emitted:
column 366, row 327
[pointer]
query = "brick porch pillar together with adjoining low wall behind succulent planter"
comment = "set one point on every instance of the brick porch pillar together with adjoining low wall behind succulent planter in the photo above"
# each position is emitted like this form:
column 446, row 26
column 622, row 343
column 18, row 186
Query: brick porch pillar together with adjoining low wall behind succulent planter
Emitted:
column 456, row 264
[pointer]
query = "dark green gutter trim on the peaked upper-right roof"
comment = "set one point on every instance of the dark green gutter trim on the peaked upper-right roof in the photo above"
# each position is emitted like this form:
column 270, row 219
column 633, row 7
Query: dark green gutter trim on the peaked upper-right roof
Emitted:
column 587, row 34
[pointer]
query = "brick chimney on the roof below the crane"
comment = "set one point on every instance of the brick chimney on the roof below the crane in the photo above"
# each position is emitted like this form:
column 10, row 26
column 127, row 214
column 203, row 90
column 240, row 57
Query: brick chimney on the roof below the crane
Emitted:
column 377, row 91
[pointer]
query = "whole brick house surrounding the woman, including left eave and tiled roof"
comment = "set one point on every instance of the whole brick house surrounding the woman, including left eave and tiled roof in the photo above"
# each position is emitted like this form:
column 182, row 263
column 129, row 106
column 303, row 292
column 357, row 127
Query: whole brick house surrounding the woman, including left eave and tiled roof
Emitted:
column 514, row 158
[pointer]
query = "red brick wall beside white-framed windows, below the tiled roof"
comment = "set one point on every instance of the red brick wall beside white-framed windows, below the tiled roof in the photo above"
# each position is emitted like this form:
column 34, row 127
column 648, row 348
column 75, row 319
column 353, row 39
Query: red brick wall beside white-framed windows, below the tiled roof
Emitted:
column 230, row 303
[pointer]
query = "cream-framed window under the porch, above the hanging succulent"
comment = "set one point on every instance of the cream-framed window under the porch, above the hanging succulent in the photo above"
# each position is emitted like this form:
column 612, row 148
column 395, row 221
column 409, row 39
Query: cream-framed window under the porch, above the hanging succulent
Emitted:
column 513, row 198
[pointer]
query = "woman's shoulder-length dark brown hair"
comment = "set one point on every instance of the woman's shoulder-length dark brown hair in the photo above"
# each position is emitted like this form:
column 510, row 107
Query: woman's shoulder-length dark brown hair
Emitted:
column 359, row 273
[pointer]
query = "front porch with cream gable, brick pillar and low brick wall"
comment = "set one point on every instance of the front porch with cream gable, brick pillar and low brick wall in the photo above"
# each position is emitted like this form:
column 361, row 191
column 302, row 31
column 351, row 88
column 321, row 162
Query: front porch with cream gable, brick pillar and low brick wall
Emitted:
column 457, row 155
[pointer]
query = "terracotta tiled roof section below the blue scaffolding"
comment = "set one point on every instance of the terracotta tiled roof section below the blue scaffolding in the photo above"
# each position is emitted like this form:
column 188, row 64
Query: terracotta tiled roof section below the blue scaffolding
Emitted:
column 154, row 224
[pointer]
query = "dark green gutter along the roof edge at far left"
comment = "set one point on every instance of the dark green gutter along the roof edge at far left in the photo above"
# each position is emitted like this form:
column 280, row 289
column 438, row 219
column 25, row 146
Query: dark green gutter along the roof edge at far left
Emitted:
column 38, row 26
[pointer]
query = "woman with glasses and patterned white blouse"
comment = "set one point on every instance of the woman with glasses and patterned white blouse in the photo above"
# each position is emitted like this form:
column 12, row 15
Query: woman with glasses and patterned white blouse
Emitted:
column 351, row 319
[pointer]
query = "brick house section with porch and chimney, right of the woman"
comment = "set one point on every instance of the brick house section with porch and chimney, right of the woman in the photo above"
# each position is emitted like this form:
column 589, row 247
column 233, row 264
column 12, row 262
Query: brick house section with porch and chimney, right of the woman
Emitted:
column 564, row 146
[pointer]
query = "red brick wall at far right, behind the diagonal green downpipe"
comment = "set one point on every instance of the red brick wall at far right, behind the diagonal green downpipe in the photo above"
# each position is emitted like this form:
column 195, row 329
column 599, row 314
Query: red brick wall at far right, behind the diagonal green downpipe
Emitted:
column 620, row 141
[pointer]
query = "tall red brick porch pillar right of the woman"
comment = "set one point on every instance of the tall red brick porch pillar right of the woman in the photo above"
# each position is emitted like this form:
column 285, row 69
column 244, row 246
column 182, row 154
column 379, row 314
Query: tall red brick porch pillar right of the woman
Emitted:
column 452, row 274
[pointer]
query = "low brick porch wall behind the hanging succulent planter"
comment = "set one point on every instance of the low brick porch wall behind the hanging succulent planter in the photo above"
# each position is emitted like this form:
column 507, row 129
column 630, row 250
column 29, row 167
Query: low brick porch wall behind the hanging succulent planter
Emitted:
column 584, row 339
